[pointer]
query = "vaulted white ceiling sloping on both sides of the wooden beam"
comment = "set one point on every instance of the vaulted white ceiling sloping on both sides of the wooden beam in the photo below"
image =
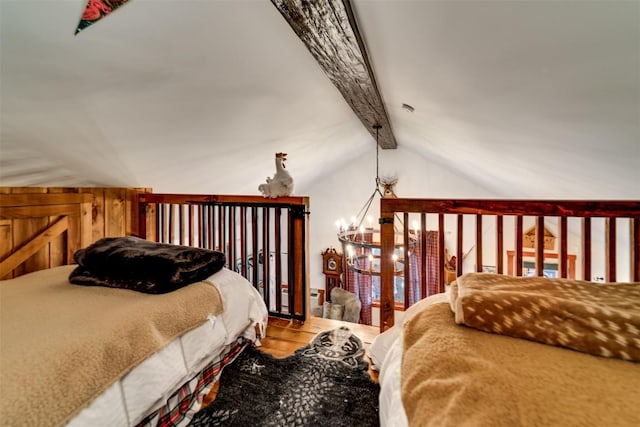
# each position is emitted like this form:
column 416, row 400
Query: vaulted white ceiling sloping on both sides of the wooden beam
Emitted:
column 516, row 97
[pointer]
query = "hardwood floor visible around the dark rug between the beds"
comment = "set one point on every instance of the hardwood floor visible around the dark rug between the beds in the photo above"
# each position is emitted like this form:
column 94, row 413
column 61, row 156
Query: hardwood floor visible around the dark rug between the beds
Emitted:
column 285, row 337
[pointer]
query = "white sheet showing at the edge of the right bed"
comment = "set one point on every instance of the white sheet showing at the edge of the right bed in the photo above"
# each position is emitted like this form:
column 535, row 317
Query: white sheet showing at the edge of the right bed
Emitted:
column 386, row 353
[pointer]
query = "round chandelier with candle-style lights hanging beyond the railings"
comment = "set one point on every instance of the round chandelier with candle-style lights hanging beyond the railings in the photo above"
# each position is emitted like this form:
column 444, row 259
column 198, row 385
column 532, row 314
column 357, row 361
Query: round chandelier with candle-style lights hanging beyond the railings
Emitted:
column 360, row 239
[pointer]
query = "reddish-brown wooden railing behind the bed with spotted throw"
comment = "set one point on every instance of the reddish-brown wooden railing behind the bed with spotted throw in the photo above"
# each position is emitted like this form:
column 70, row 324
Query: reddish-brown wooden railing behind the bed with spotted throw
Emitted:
column 617, row 224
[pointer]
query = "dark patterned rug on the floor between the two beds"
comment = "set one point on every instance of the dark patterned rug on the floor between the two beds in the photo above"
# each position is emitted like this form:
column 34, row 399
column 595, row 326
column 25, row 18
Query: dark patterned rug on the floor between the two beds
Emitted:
column 323, row 384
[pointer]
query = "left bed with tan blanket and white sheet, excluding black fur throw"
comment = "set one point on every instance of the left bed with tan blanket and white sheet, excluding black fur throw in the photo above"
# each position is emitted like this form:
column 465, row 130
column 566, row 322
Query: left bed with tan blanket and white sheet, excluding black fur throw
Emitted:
column 80, row 377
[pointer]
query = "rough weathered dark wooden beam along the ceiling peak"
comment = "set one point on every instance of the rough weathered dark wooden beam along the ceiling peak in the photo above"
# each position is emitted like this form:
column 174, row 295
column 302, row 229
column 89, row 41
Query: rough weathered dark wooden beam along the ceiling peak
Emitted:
column 329, row 30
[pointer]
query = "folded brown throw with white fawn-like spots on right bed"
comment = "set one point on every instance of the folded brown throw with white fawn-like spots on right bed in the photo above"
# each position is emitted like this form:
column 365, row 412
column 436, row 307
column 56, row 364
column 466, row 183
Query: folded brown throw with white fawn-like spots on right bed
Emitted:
column 597, row 318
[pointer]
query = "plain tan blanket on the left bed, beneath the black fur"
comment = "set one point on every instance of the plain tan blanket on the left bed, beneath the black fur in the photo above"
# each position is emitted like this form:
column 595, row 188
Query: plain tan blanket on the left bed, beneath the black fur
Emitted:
column 61, row 345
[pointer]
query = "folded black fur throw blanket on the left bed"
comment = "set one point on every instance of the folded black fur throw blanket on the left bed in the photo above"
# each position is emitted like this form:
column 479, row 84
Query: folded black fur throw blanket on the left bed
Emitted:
column 143, row 266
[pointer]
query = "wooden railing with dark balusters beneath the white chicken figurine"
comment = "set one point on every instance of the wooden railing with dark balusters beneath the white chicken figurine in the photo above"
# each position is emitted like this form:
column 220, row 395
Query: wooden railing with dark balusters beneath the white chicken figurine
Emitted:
column 265, row 240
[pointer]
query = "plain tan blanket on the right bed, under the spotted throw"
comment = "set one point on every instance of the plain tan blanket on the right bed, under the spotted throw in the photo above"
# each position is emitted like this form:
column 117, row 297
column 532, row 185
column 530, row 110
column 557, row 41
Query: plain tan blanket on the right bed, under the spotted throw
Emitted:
column 458, row 376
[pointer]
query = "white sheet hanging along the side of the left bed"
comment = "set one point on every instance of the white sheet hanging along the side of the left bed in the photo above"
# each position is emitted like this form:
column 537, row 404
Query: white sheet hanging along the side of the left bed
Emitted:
column 146, row 388
